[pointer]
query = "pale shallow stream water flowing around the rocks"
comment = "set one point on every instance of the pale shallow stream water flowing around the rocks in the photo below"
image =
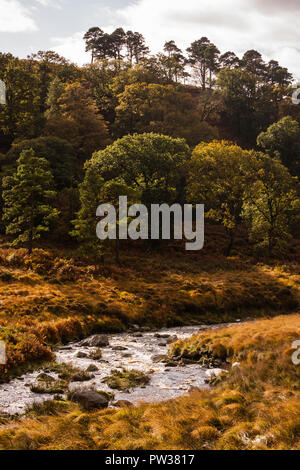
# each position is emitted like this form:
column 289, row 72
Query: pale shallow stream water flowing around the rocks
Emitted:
column 165, row 383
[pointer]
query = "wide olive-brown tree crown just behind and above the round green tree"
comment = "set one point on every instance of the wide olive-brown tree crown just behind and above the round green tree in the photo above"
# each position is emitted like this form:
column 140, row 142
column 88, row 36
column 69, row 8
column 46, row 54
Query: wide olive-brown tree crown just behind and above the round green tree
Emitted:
column 161, row 109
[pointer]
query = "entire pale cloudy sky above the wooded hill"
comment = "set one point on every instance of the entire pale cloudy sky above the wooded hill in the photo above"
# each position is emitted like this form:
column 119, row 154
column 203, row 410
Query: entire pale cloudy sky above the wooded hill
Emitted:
column 270, row 26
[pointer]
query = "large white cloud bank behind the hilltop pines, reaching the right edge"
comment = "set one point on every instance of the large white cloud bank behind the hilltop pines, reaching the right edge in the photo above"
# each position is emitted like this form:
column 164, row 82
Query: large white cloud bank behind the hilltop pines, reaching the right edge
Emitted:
column 270, row 26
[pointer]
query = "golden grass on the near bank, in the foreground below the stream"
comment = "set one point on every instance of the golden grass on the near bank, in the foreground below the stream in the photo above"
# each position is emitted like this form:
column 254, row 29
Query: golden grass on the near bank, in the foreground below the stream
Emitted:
column 256, row 406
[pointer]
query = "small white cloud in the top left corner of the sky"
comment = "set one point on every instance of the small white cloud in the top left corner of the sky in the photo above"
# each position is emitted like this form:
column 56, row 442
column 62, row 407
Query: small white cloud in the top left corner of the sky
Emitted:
column 15, row 18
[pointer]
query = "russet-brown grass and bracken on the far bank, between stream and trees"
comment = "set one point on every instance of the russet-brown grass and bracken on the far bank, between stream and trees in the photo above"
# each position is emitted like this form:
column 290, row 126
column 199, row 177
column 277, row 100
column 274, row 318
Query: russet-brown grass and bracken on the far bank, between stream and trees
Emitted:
column 57, row 296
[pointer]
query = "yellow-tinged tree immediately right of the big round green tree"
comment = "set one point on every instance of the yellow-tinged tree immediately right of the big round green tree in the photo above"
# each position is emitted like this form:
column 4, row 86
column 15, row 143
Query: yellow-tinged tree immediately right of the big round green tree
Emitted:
column 218, row 177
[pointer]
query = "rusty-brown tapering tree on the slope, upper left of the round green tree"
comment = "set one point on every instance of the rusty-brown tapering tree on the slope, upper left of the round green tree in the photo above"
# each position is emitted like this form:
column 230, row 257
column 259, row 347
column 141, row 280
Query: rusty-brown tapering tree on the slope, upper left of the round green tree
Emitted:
column 79, row 122
